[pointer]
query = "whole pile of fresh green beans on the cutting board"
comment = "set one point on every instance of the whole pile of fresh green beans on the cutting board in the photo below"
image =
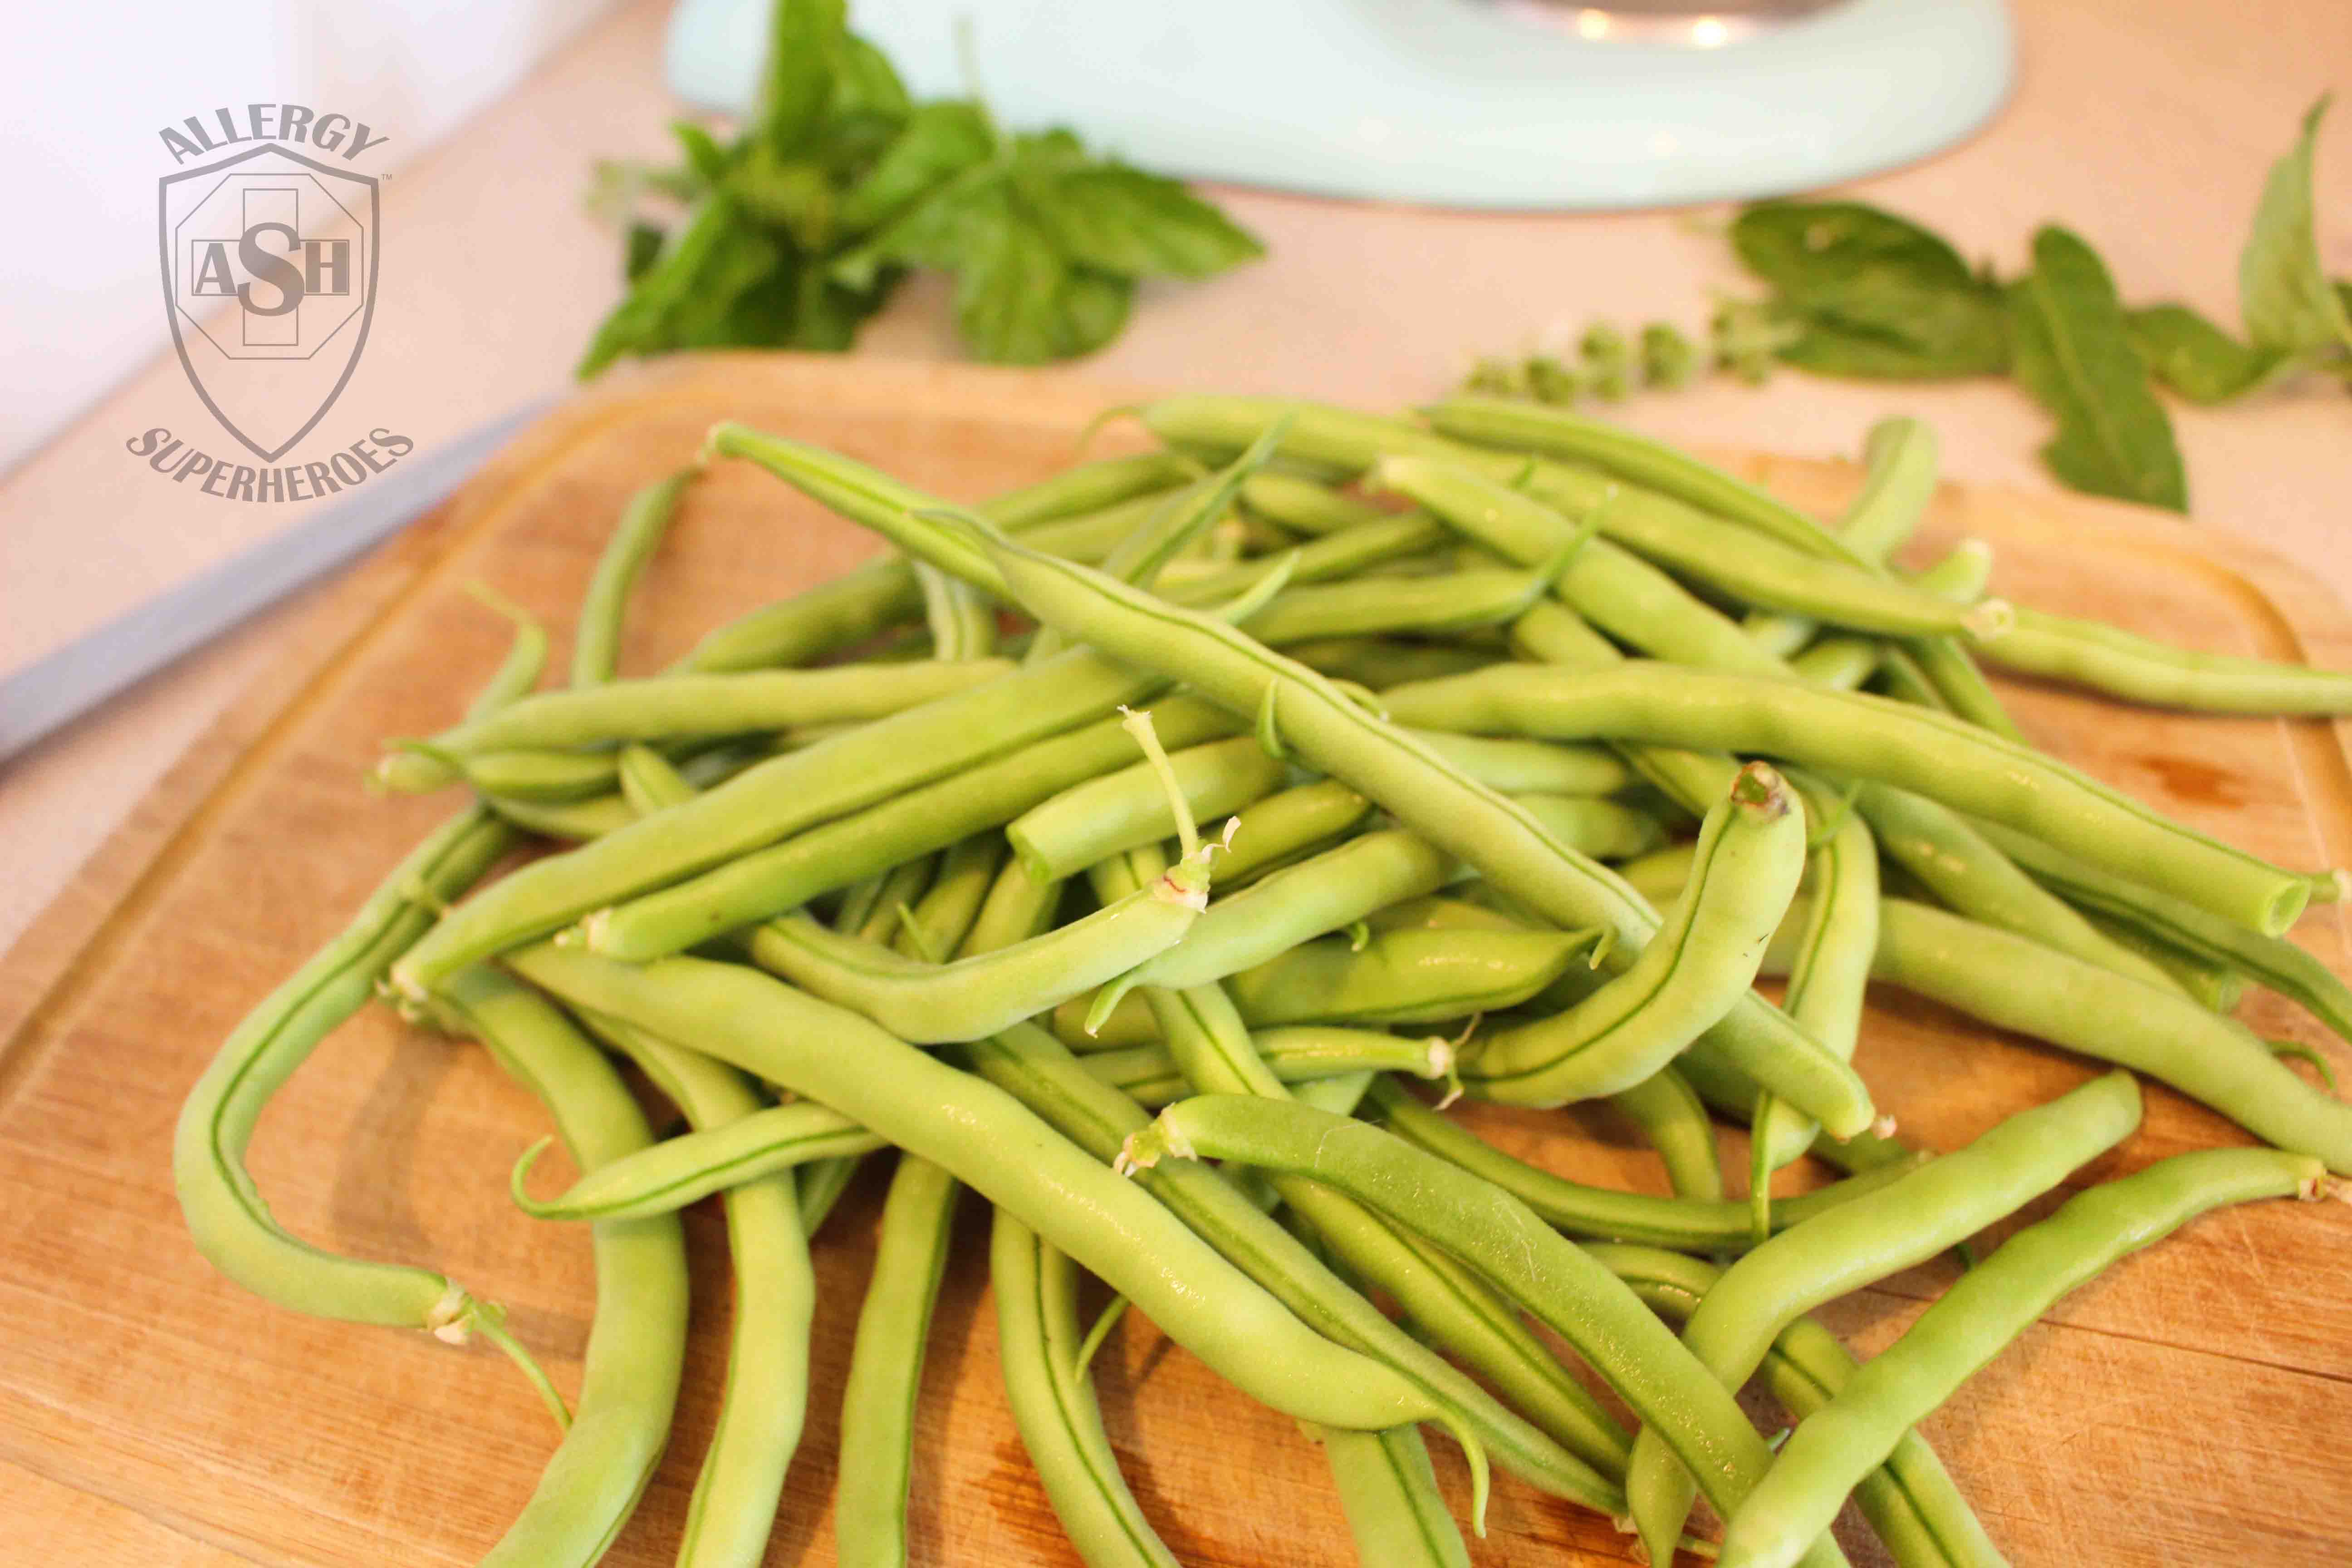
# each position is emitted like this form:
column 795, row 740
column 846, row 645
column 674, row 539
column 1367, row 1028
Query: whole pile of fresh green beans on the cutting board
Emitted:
column 1295, row 782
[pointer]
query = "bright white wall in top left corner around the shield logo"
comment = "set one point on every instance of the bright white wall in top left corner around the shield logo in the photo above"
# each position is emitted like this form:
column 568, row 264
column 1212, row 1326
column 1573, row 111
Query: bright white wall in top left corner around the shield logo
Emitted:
column 88, row 83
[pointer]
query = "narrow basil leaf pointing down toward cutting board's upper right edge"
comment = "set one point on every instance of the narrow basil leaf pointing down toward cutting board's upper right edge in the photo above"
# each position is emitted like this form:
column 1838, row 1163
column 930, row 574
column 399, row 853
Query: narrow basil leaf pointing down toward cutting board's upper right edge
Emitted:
column 2073, row 354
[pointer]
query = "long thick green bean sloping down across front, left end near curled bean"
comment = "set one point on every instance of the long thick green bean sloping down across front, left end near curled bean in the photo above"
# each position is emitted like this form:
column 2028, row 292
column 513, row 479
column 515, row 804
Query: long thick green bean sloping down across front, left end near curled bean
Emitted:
column 1005, row 1153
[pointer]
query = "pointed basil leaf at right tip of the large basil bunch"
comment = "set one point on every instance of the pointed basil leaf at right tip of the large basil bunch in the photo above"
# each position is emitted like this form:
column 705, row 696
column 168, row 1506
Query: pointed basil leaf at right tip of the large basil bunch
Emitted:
column 1128, row 222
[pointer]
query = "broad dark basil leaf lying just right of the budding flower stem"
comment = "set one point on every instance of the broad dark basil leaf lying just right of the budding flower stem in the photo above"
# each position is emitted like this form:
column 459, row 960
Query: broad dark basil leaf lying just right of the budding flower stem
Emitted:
column 1873, row 295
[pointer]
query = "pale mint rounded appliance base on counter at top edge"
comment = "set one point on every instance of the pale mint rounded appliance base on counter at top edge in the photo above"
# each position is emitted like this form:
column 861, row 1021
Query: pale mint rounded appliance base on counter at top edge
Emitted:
column 1518, row 105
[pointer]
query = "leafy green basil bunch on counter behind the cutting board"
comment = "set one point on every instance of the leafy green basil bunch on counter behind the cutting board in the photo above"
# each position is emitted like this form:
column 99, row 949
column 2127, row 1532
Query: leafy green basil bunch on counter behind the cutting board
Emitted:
column 799, row 229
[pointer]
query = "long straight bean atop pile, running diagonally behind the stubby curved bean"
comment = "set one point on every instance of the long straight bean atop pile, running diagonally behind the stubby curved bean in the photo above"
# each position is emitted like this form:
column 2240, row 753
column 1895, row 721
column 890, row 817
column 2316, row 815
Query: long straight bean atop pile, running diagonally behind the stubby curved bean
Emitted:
column 1424, row 793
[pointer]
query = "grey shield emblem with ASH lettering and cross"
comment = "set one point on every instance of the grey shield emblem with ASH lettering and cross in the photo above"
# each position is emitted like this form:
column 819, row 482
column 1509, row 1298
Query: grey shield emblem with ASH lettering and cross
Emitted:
column 269, row 276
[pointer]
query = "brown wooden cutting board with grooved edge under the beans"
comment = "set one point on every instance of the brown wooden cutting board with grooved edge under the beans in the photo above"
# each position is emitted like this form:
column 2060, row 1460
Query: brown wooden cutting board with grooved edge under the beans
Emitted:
column 2191, row 1407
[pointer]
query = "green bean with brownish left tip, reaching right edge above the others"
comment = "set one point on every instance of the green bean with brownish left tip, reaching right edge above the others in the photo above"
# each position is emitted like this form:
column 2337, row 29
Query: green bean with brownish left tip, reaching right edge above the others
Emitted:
column 2163, row 676
